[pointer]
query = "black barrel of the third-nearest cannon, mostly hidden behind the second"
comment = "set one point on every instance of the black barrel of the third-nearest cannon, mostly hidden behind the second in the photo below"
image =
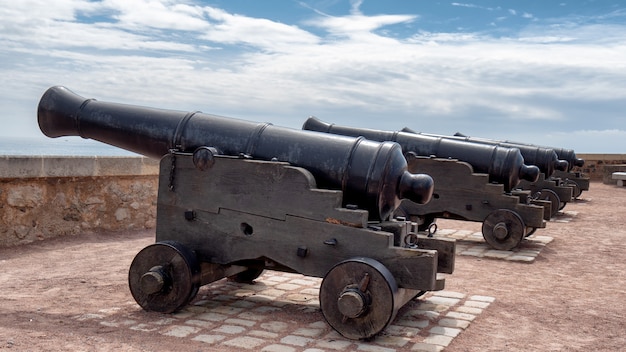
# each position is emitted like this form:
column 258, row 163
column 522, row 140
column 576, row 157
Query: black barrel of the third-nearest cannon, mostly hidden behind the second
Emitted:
column 545, row 159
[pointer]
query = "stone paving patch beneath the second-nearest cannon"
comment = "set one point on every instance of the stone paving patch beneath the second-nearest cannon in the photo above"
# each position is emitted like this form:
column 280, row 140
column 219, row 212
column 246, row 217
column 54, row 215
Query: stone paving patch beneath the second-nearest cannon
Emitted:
column 472, row 243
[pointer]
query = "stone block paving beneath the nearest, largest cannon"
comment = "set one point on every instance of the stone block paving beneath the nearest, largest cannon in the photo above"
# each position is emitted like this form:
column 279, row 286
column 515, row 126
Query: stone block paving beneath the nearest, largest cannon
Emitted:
column 280, row 313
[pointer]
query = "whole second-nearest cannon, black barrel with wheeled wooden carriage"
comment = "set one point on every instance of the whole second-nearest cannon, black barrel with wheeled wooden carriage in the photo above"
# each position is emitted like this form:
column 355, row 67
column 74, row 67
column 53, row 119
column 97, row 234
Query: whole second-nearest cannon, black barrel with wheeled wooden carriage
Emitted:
column 466, row 186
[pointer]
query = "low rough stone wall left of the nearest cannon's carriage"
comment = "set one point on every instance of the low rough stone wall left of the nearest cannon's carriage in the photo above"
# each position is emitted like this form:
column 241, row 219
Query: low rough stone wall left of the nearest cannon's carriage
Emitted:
column 45, row 197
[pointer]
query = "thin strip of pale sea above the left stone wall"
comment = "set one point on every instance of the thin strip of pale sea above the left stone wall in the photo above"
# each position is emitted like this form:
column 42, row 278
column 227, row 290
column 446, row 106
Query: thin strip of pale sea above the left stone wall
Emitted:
column 62, row 146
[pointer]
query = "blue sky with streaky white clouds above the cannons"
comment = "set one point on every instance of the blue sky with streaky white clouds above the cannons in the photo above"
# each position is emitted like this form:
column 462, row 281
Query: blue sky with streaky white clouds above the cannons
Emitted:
column 545, row 72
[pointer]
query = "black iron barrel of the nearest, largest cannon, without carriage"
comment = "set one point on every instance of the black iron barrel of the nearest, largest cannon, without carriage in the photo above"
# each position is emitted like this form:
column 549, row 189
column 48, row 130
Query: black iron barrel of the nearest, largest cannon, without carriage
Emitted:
column 372, row 175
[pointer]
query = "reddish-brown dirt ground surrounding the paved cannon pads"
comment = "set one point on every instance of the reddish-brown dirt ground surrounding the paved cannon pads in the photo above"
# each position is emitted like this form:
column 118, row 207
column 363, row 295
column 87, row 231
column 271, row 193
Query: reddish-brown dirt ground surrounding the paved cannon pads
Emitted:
column 572, row 298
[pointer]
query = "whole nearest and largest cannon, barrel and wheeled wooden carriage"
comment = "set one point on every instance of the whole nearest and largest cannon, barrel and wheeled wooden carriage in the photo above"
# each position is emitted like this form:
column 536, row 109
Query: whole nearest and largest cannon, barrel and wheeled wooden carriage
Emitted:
column 238, row 197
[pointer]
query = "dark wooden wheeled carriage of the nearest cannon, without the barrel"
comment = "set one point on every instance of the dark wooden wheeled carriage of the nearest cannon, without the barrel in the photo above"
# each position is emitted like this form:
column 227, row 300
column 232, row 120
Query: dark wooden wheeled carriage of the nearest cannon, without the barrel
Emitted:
column 220, row 216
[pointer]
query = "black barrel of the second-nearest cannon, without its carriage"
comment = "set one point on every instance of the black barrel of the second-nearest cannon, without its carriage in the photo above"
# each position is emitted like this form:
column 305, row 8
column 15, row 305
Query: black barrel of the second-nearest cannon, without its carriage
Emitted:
column 504, row 165
